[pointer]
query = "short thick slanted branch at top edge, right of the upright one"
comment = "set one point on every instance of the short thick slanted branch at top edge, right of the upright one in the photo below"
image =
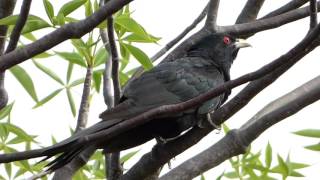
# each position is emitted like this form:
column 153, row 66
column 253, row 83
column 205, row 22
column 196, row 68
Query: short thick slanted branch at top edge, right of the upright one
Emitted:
column 250, row 11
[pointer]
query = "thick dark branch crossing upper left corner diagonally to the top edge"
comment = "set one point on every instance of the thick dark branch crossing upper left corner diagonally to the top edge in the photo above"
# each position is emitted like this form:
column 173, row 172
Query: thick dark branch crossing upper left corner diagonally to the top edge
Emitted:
column 72, row 30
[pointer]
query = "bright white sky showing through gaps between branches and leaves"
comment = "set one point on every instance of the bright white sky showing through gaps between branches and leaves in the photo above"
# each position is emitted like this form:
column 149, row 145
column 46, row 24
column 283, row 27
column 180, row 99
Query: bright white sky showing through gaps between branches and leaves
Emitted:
column 166, row 19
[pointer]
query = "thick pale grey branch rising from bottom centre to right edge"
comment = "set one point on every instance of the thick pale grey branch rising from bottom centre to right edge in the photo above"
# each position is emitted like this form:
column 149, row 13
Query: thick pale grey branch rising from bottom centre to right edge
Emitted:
column 236, row 141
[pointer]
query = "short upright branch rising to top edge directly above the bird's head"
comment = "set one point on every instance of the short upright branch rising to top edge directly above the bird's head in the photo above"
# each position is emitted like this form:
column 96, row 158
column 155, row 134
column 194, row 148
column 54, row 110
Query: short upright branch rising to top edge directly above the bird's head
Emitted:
column 211, row 22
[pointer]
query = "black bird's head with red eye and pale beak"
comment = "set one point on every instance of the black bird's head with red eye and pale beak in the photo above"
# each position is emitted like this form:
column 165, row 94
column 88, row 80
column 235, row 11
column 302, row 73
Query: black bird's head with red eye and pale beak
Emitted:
column 221, row 48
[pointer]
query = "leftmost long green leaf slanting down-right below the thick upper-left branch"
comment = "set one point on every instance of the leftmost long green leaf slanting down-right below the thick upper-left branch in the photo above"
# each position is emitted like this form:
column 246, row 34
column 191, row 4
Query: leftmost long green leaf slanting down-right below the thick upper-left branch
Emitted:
column 25, row 80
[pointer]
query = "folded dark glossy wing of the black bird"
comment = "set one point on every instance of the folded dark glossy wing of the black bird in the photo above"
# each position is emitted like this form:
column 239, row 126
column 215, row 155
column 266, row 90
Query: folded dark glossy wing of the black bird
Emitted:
column 168, row 83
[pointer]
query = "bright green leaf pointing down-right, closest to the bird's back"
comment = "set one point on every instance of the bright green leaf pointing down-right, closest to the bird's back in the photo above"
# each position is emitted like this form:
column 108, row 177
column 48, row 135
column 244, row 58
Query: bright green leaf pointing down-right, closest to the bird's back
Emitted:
column 140, row 56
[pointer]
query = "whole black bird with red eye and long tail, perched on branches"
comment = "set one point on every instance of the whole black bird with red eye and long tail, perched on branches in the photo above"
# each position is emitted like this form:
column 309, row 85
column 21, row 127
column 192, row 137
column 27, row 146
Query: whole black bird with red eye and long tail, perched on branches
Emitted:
column 205, row 66
